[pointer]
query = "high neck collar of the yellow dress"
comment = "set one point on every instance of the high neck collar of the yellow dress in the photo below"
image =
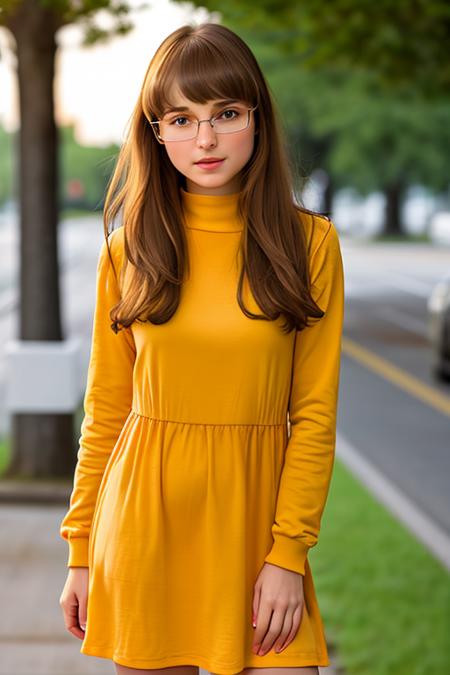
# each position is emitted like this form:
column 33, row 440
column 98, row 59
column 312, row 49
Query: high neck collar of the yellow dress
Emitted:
column 214, row 213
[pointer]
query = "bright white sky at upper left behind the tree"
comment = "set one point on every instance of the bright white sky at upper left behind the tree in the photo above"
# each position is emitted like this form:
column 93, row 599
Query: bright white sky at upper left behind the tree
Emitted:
column 96, row 87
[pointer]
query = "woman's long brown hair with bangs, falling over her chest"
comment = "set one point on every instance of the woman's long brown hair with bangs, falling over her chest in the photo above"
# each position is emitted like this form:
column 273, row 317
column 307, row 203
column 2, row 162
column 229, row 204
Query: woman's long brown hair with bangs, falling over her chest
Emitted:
column 207, row 61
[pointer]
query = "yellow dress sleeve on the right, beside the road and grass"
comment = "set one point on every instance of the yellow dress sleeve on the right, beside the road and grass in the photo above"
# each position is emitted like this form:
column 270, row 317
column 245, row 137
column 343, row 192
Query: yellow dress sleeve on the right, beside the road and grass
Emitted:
column 309, row 455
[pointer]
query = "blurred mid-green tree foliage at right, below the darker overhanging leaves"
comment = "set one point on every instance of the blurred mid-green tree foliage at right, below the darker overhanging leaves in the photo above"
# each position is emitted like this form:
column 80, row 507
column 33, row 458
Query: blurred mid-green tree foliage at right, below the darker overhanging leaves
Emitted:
column 378, row 137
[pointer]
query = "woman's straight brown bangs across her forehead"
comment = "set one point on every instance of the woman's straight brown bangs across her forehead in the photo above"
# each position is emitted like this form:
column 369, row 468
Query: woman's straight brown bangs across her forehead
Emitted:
column 199, row 70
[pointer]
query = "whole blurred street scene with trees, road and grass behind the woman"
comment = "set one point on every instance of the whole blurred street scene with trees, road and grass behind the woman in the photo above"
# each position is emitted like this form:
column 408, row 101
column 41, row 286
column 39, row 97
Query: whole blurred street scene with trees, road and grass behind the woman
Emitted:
column 363, row 92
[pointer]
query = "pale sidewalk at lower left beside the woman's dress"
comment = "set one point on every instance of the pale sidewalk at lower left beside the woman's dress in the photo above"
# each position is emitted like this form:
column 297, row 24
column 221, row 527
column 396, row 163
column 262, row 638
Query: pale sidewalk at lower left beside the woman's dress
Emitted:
column 34, row 640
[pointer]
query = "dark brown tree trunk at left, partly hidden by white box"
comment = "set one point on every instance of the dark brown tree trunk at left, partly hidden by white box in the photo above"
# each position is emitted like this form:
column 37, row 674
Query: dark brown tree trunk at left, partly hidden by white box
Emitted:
column 42, row 444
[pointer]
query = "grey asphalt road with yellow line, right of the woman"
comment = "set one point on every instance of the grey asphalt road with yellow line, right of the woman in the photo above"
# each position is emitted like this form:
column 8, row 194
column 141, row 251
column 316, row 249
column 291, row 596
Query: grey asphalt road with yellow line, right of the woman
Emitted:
column 391, row 408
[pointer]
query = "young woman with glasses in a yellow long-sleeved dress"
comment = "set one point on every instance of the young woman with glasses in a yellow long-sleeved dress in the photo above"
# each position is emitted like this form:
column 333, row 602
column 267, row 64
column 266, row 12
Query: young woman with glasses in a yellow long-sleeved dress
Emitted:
column 208, row 438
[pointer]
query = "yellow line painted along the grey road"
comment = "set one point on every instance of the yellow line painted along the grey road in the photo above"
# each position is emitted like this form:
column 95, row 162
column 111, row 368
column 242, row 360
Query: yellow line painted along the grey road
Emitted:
column 403, row 380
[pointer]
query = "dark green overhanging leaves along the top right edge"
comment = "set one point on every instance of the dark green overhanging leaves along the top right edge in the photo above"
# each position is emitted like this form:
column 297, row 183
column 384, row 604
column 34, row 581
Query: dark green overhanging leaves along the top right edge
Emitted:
column 403, row 43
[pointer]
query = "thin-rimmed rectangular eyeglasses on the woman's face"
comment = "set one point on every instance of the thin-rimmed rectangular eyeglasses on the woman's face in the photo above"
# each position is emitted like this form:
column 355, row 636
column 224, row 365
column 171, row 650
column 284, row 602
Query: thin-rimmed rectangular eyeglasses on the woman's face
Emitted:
column 222, row 123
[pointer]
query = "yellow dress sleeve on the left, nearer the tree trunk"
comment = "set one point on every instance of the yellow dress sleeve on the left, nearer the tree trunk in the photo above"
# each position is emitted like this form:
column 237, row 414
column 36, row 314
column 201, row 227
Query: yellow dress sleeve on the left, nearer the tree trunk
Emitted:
column 107, row 403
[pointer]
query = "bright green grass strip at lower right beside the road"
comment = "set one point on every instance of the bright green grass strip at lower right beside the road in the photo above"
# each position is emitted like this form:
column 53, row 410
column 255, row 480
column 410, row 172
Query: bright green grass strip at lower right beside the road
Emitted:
column 384, row 599
